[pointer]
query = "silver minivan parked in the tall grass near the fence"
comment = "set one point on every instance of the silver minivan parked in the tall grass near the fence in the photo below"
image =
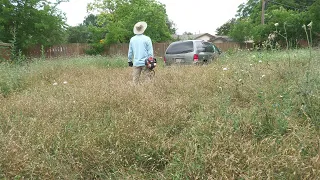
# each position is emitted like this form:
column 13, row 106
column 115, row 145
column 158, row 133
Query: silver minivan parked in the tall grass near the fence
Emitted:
column 189, row 52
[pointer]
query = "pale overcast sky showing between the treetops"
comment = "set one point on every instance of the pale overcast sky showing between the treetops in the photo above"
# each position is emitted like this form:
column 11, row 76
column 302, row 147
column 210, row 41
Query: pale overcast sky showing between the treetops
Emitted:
column 195, row 16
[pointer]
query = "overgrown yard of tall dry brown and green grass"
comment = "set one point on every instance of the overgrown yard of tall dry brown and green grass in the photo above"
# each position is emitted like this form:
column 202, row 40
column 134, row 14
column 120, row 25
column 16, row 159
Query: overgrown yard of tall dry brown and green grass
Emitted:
column 249, row 115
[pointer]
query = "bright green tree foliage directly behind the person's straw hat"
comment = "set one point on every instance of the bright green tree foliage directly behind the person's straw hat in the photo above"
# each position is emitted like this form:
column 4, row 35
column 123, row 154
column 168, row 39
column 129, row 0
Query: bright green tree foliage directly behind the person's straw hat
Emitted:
column 121, row 15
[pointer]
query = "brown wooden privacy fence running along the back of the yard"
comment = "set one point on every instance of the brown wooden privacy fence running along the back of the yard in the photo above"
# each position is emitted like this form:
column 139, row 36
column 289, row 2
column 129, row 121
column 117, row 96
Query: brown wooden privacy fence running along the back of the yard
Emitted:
column 77, row 49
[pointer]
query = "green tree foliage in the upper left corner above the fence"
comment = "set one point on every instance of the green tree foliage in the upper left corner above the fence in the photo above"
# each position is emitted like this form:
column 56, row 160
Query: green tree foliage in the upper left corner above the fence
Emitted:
column 33, row 22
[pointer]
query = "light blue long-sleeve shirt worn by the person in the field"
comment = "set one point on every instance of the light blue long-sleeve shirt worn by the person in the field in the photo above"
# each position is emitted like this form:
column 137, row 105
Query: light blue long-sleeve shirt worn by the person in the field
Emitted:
column 140, row 49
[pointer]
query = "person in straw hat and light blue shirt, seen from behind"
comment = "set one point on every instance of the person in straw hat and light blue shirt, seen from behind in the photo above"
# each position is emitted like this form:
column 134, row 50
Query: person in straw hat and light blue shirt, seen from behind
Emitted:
column 140, row 50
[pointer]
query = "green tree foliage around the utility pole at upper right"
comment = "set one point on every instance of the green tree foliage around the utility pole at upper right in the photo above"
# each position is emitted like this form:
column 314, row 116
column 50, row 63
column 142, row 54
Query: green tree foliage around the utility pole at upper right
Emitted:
column 289, row 14
